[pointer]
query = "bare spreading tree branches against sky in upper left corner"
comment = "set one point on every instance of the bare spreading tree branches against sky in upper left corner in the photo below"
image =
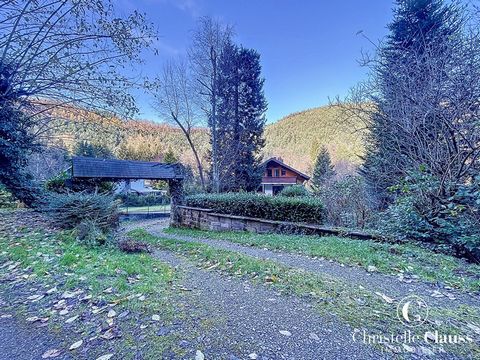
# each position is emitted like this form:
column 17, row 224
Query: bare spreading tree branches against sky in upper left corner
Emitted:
column 64, row 52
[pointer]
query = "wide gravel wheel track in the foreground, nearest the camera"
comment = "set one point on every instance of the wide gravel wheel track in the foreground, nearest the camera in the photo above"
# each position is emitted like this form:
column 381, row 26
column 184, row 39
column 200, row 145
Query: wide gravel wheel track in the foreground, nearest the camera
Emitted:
column 244, row 321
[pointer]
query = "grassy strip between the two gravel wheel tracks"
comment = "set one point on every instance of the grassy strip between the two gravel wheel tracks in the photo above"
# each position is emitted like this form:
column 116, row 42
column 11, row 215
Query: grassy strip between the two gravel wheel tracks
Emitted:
column 357, row 306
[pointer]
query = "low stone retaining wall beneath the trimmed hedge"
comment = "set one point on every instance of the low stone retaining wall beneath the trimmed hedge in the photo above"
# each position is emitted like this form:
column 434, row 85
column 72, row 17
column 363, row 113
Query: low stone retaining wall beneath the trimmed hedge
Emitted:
column 207, row 219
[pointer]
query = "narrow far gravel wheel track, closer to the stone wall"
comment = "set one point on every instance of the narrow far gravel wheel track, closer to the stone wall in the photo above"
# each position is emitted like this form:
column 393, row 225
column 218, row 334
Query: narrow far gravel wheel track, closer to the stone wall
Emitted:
column 376, row 282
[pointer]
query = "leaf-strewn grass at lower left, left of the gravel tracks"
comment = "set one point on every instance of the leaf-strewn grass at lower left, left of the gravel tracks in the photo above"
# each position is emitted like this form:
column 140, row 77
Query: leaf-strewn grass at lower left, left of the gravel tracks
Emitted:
column 49, row 263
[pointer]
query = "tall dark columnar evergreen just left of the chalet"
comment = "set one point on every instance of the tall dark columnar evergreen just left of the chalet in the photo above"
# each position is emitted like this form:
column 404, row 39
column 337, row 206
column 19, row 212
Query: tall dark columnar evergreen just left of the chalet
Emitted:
column 241, row 118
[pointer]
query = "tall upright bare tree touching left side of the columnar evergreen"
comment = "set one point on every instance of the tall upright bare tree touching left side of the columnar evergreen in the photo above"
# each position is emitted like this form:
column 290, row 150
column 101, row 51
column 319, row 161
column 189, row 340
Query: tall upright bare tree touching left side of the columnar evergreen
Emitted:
column 208, row 42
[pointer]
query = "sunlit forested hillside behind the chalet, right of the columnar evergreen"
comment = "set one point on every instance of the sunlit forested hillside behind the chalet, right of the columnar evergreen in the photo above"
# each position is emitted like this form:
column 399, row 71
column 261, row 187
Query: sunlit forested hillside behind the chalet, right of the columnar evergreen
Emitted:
column 298, row 137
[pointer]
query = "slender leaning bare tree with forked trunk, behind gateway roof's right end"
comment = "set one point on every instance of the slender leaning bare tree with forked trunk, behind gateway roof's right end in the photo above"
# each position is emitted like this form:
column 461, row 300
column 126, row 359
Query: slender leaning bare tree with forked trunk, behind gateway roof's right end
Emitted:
column 174, row 100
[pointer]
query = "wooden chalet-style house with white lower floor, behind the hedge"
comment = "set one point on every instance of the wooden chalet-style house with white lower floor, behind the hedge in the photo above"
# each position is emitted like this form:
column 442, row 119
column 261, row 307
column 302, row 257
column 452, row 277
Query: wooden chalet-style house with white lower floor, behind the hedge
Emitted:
column 279, row 175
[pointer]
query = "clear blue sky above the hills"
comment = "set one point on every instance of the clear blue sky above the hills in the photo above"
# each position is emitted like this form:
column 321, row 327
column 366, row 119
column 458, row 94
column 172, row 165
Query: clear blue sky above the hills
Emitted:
column 309, row 48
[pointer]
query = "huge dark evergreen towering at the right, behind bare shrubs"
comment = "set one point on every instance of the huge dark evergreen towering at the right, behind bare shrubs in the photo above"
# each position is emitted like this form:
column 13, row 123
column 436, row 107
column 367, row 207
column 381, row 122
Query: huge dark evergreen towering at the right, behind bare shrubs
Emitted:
column 410, row 83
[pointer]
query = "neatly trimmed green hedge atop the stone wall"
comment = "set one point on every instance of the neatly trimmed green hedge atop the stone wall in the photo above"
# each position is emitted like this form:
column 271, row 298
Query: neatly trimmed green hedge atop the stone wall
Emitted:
column 295, row 209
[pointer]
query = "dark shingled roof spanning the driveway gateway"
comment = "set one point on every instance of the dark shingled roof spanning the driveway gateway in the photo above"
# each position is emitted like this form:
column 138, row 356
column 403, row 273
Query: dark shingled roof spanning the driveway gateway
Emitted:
column 85, row 167
